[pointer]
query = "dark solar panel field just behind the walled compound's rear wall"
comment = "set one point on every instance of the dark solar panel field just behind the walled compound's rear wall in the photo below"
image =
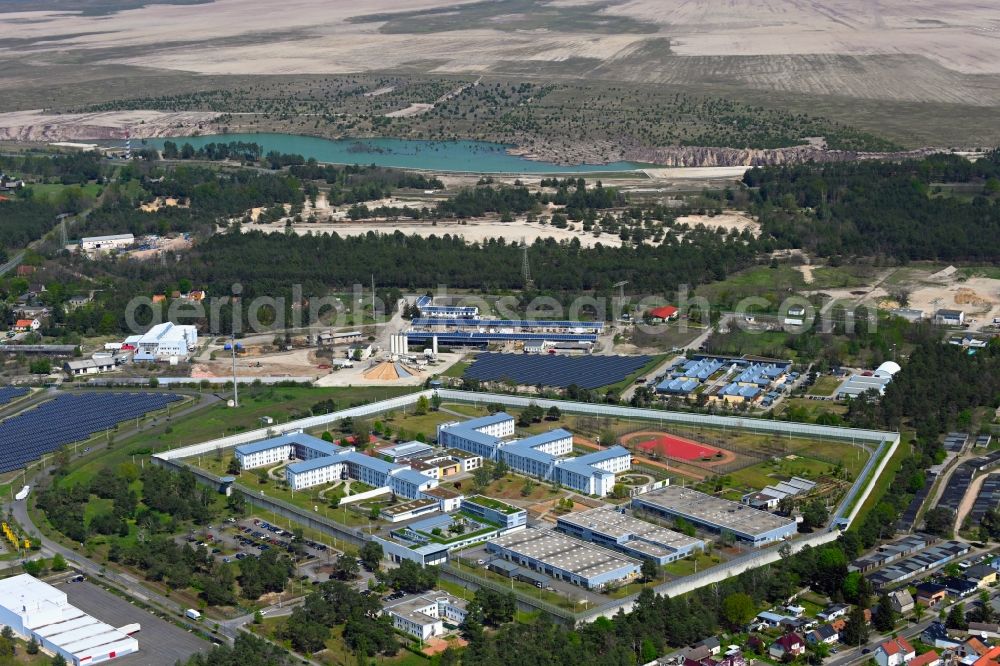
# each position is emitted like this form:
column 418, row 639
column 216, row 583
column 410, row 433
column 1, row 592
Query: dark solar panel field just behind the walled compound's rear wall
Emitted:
column 587, row 372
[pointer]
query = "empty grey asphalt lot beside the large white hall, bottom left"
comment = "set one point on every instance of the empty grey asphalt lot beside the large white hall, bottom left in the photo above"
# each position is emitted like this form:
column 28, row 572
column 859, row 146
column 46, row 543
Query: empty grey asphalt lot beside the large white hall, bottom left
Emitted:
column 160, row 642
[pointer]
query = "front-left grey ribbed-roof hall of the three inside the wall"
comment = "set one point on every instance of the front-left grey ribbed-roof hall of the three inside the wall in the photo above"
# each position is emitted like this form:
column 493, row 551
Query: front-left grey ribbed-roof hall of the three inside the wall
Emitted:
column 557, row 555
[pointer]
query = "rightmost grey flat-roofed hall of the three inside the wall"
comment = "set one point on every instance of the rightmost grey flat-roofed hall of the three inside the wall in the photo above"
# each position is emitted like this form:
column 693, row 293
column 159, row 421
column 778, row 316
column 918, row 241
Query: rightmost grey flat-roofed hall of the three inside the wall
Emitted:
column 716, row 514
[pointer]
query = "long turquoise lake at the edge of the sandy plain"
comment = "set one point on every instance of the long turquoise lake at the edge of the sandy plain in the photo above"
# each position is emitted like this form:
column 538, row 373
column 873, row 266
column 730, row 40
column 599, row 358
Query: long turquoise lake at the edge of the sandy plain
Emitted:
column 468, row 156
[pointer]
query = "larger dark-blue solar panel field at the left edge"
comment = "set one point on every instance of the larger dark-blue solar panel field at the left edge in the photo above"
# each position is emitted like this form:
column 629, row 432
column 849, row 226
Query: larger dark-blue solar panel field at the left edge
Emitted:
column 70, row 418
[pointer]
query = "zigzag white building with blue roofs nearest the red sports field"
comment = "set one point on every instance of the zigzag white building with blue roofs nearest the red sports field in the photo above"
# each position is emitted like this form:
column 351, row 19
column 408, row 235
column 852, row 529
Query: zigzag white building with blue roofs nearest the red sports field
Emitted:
column 492, row 437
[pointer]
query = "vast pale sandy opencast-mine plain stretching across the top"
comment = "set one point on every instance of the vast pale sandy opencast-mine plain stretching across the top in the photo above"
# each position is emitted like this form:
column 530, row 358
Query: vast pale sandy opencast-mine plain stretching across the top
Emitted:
column 923, row 46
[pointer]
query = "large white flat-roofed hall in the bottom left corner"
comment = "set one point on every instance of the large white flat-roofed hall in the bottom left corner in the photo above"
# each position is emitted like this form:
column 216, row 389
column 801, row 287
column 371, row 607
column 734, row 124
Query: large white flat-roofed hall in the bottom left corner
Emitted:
column 32, row 608
